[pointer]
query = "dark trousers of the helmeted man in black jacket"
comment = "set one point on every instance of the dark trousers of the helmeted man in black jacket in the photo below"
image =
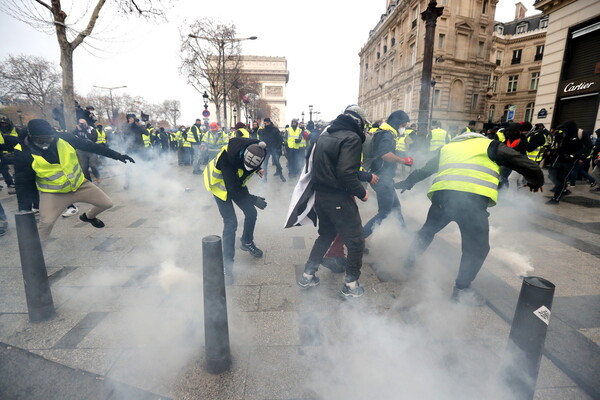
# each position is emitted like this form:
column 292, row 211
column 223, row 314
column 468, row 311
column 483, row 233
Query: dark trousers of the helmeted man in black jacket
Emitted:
column 337, row 214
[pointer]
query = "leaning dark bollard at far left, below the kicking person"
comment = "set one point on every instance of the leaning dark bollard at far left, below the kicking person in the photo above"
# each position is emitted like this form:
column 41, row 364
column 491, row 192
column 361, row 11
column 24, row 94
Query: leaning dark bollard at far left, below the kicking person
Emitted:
column 35, row 276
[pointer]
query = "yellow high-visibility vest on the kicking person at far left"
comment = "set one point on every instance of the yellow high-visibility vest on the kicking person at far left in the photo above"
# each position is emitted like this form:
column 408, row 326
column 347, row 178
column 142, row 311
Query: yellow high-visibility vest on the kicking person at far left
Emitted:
column 64, row 177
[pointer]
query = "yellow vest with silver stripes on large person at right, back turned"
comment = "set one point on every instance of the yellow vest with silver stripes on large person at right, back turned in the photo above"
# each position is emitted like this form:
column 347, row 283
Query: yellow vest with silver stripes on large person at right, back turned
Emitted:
column 466, row 167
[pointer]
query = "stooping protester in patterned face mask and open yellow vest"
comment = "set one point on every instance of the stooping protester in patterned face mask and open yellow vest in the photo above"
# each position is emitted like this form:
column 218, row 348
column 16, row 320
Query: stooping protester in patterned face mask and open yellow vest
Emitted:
column 225, row 177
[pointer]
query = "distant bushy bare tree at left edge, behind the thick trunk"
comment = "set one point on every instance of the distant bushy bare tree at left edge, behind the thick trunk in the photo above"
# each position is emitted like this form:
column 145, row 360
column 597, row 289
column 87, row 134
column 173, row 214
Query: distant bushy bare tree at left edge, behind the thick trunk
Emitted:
column 30, row 79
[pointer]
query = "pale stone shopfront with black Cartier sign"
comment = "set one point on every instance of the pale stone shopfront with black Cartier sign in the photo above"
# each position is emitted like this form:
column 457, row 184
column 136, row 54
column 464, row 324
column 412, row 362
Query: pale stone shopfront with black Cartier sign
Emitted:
column 569, row 85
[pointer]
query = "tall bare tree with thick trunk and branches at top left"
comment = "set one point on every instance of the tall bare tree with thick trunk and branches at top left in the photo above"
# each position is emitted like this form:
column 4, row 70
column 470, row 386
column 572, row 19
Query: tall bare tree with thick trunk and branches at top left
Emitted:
column 44, row 14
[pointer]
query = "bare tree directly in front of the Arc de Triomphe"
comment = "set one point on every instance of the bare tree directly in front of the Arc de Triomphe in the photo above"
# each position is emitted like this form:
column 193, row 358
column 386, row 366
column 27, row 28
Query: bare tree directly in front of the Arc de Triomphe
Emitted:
column 211, row 60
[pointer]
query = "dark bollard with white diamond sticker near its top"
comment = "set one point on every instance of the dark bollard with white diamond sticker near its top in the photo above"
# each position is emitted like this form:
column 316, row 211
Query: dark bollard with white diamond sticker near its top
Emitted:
column 527, row 336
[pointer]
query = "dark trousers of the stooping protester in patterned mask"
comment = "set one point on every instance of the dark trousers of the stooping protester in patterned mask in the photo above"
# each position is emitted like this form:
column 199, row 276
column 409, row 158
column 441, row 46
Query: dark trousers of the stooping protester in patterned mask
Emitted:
column 246, row 204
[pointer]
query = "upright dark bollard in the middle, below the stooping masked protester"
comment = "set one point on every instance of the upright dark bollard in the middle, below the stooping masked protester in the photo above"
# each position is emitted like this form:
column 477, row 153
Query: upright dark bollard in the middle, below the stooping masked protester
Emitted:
column 216, row 328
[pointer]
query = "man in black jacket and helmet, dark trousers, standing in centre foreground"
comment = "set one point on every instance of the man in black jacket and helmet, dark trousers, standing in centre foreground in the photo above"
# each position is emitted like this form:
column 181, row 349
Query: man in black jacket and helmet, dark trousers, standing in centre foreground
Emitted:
column 335, row 178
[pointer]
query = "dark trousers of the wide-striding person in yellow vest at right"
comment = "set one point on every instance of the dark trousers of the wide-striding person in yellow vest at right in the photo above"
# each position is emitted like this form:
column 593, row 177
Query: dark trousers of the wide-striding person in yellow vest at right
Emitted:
column 472, row 220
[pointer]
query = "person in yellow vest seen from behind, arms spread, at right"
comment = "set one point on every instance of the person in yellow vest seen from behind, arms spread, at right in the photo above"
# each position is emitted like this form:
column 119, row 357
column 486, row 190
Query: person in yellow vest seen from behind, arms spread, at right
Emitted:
column 466, row 184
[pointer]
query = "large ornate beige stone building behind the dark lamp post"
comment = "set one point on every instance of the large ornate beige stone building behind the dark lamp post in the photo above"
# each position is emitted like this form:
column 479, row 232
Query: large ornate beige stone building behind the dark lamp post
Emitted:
column 391, row 61
